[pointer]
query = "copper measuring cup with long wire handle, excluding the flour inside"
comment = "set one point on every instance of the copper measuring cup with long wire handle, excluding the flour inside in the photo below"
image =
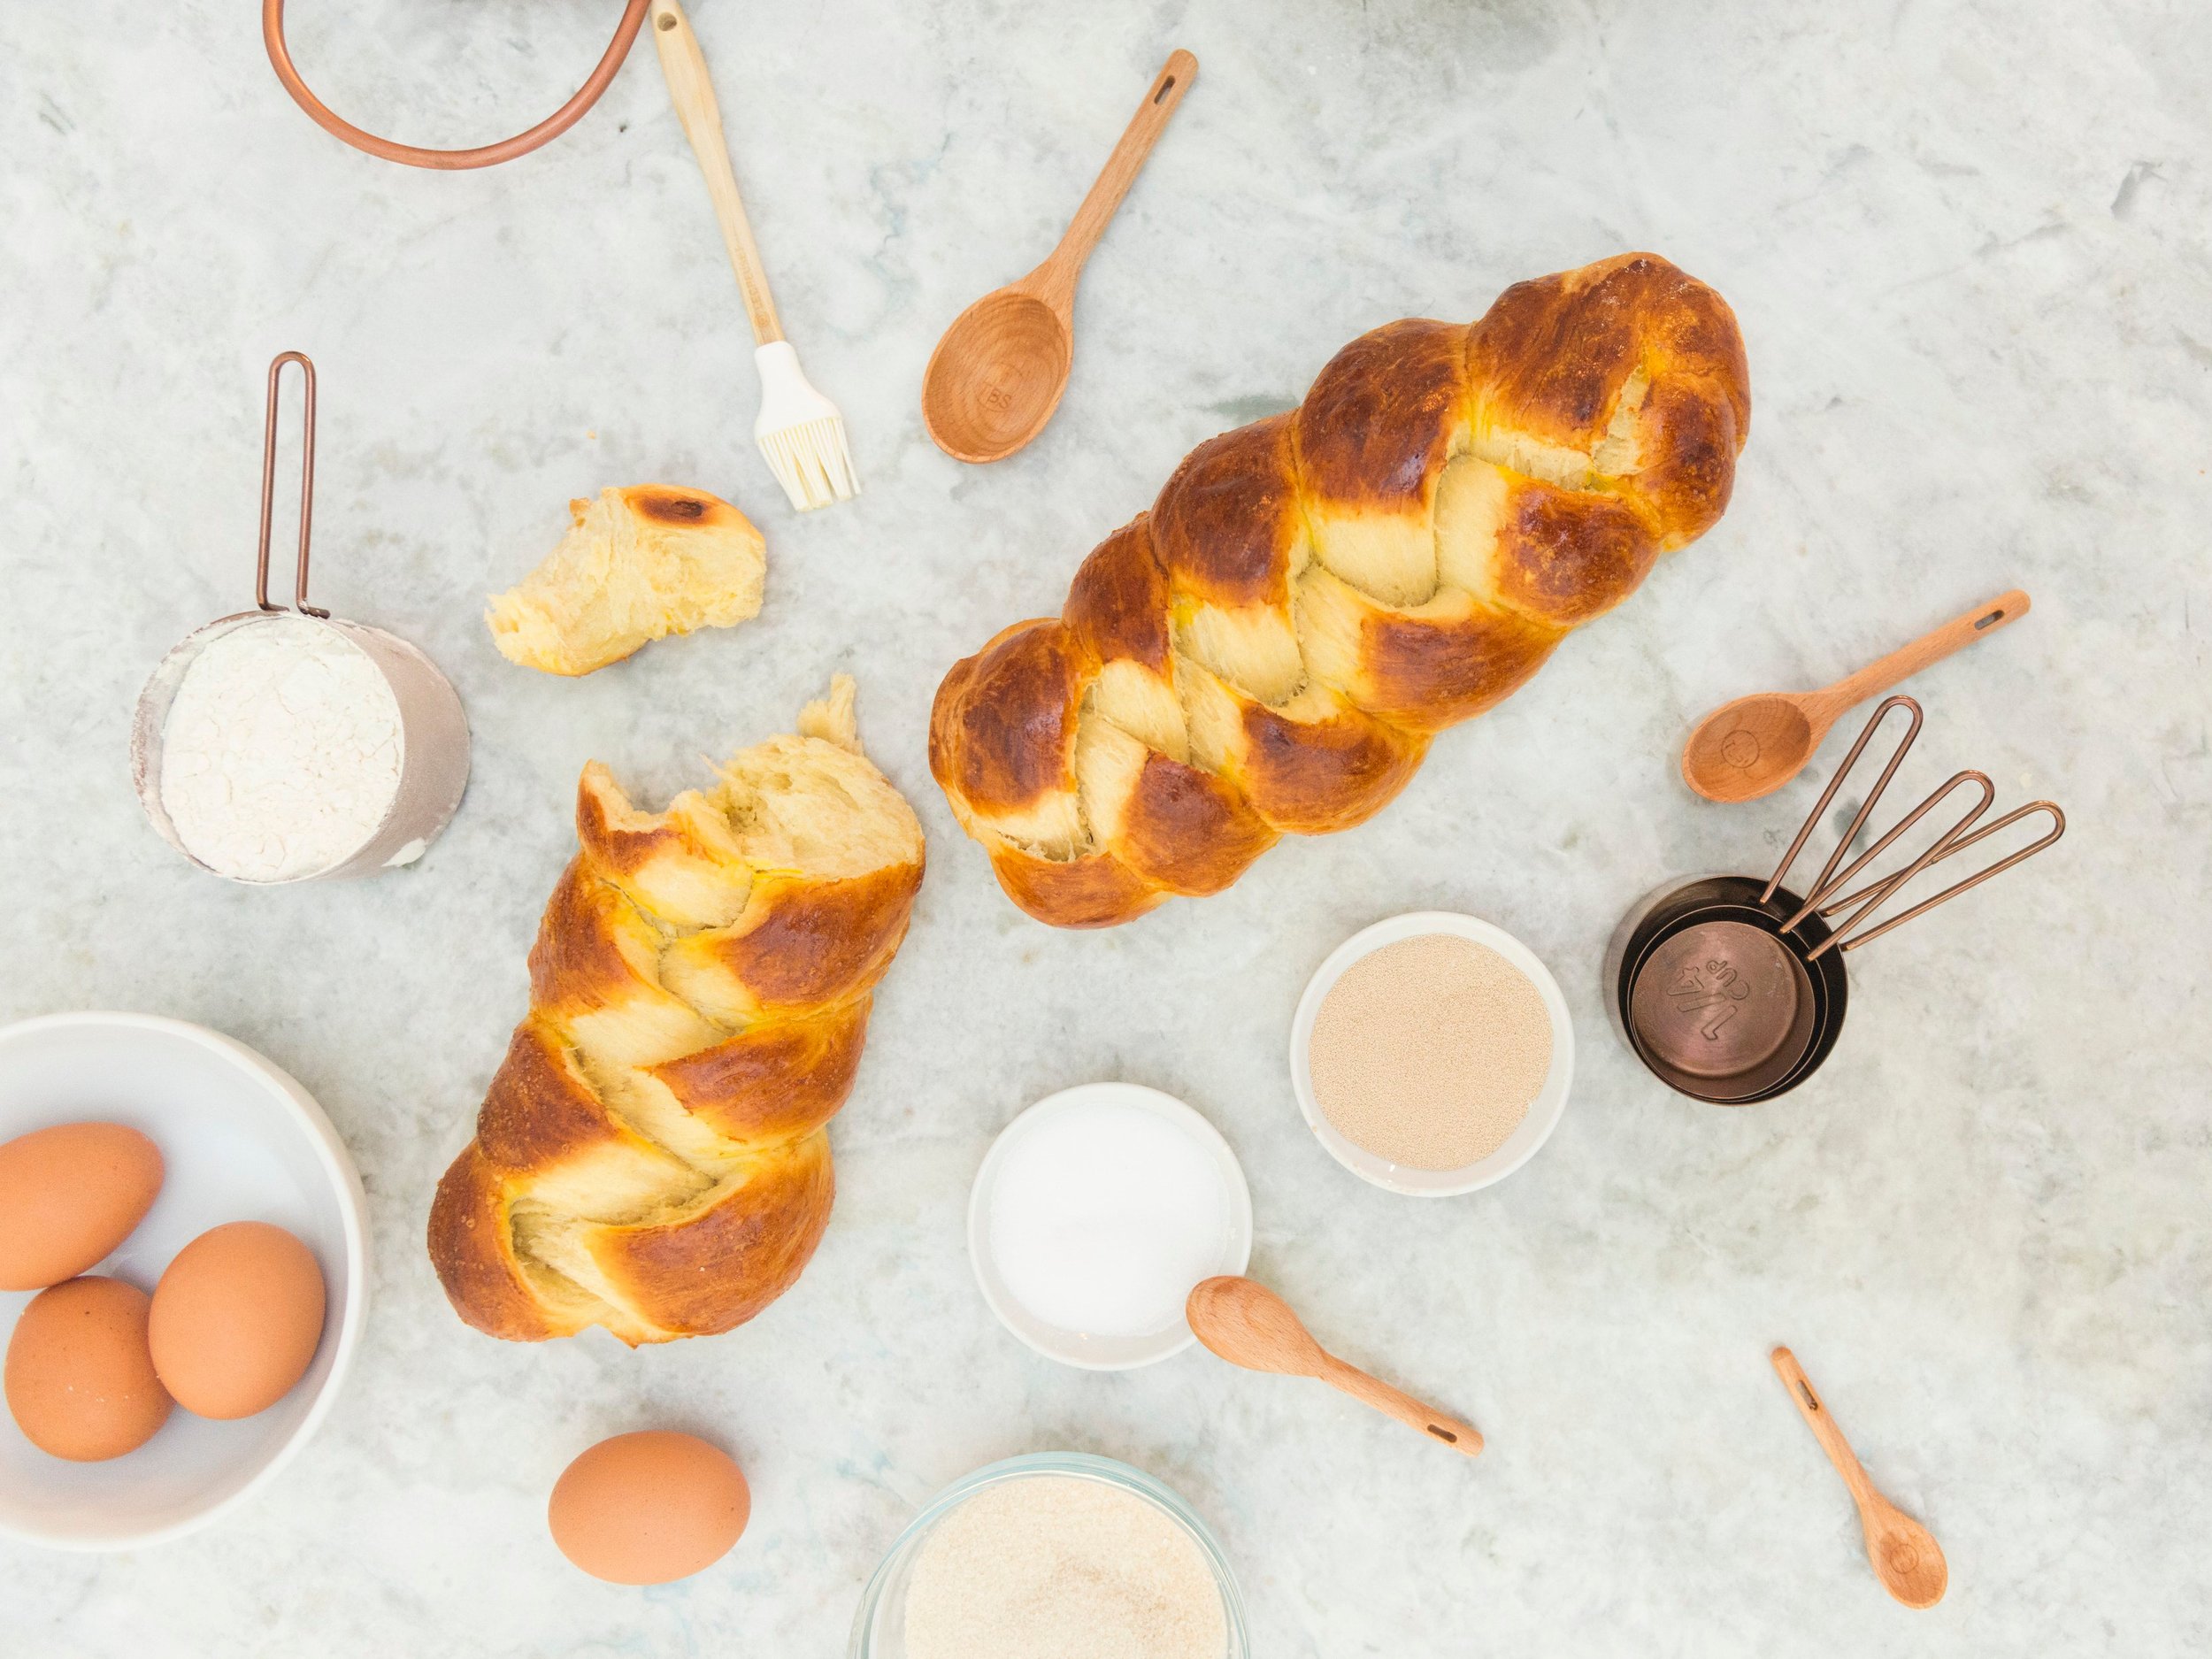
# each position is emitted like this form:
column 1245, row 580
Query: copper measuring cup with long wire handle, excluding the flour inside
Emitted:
column 435, row 731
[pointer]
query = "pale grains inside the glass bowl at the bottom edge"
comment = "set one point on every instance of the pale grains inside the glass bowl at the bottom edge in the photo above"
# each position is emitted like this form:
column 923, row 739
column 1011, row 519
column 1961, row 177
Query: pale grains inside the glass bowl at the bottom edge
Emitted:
column 1054, row 1567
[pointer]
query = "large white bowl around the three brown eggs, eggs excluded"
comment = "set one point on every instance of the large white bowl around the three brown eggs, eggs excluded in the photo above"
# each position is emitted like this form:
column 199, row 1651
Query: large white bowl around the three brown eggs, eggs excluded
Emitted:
column 240, row 1142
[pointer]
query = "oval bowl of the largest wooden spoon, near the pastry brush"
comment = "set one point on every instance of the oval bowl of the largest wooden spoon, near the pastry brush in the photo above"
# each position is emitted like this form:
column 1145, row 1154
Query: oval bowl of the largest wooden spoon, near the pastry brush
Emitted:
column 997, row 377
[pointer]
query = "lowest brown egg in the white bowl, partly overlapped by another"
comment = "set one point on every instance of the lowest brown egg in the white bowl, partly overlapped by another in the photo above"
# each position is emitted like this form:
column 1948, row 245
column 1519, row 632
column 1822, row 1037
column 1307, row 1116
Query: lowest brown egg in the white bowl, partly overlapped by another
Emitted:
column 79, row 1375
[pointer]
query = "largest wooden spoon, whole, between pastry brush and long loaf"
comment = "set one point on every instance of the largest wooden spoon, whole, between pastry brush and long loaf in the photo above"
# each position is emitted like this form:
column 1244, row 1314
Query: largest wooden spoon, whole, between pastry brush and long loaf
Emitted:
column 1001, row 368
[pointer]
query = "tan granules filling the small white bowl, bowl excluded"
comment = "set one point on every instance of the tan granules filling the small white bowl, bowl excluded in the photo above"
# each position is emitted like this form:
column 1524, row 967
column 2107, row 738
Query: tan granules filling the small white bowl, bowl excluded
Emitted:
column 1430, row 1052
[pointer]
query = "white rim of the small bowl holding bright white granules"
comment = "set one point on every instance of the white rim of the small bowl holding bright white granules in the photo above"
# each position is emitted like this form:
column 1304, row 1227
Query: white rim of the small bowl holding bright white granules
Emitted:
column 1089, row 1350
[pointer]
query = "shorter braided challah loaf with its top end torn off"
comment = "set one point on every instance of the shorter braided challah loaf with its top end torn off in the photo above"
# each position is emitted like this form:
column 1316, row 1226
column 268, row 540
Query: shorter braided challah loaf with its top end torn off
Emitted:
column 654, row 1154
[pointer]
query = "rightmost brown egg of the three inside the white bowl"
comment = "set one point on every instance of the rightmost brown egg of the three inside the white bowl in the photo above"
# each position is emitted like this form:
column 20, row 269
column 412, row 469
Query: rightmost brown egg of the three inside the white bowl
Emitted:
column 238, row 1319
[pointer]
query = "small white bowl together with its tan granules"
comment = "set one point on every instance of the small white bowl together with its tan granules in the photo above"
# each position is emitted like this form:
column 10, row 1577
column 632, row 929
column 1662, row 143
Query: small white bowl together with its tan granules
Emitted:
column 1432, row 1054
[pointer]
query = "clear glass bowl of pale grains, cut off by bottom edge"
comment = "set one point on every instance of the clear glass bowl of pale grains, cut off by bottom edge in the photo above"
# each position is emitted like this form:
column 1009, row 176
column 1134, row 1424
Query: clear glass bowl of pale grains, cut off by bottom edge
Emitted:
column 1054, row 1554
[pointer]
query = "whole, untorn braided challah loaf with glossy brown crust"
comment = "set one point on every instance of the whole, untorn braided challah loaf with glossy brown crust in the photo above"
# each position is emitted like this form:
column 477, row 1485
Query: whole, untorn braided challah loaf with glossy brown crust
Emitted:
column 1315, row 596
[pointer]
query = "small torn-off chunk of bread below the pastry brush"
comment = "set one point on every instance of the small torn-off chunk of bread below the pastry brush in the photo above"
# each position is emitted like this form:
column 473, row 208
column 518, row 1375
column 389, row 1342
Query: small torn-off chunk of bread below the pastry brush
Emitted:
column 638, row 565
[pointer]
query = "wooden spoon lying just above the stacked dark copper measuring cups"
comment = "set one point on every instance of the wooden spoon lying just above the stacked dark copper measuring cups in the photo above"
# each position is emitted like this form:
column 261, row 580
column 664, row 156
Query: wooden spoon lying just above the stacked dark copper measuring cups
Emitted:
column 1757, row 744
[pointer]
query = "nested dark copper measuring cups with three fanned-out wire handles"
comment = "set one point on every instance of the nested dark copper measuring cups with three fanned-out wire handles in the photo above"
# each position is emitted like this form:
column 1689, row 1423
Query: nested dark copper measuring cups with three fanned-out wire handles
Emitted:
column 1733, row 990
